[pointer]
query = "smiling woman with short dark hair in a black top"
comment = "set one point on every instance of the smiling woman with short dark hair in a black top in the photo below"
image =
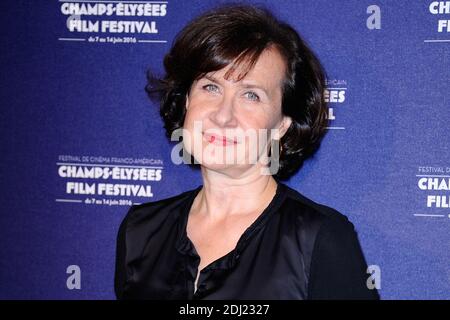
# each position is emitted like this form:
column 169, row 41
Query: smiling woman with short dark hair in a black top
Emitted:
column 239, row 83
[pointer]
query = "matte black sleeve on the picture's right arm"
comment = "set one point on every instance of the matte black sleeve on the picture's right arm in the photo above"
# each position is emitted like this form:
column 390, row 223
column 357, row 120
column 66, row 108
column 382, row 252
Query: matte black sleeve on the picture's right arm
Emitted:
column 338, row 267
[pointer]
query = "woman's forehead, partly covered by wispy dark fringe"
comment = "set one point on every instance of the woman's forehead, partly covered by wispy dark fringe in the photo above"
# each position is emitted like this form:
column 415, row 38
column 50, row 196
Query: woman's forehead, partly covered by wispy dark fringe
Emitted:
column 268, row 70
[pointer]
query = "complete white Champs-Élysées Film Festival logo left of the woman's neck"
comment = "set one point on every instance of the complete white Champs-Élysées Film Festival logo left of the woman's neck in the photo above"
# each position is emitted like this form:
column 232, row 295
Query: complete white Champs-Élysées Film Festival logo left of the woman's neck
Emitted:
column 107, row 180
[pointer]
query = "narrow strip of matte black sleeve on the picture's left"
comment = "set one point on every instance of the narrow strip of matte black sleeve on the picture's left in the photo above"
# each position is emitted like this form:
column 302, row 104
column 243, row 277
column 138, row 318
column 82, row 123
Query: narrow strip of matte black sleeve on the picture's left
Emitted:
column 120, row 276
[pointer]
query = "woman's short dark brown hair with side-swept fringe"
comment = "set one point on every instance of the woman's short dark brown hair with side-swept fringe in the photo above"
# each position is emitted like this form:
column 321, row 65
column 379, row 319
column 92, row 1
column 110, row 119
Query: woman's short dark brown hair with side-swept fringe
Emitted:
column 240, row 33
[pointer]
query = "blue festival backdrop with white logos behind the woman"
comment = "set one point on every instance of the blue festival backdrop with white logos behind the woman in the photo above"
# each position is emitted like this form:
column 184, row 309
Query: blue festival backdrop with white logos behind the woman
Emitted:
column 81, row 141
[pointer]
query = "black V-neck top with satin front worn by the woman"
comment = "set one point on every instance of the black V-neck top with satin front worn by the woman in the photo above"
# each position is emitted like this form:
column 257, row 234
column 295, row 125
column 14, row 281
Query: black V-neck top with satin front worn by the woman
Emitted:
column 296, row 249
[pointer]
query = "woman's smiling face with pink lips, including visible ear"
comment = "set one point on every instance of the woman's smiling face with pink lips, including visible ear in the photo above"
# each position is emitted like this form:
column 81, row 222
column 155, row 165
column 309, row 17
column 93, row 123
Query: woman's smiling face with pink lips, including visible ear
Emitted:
column 229, row 124
